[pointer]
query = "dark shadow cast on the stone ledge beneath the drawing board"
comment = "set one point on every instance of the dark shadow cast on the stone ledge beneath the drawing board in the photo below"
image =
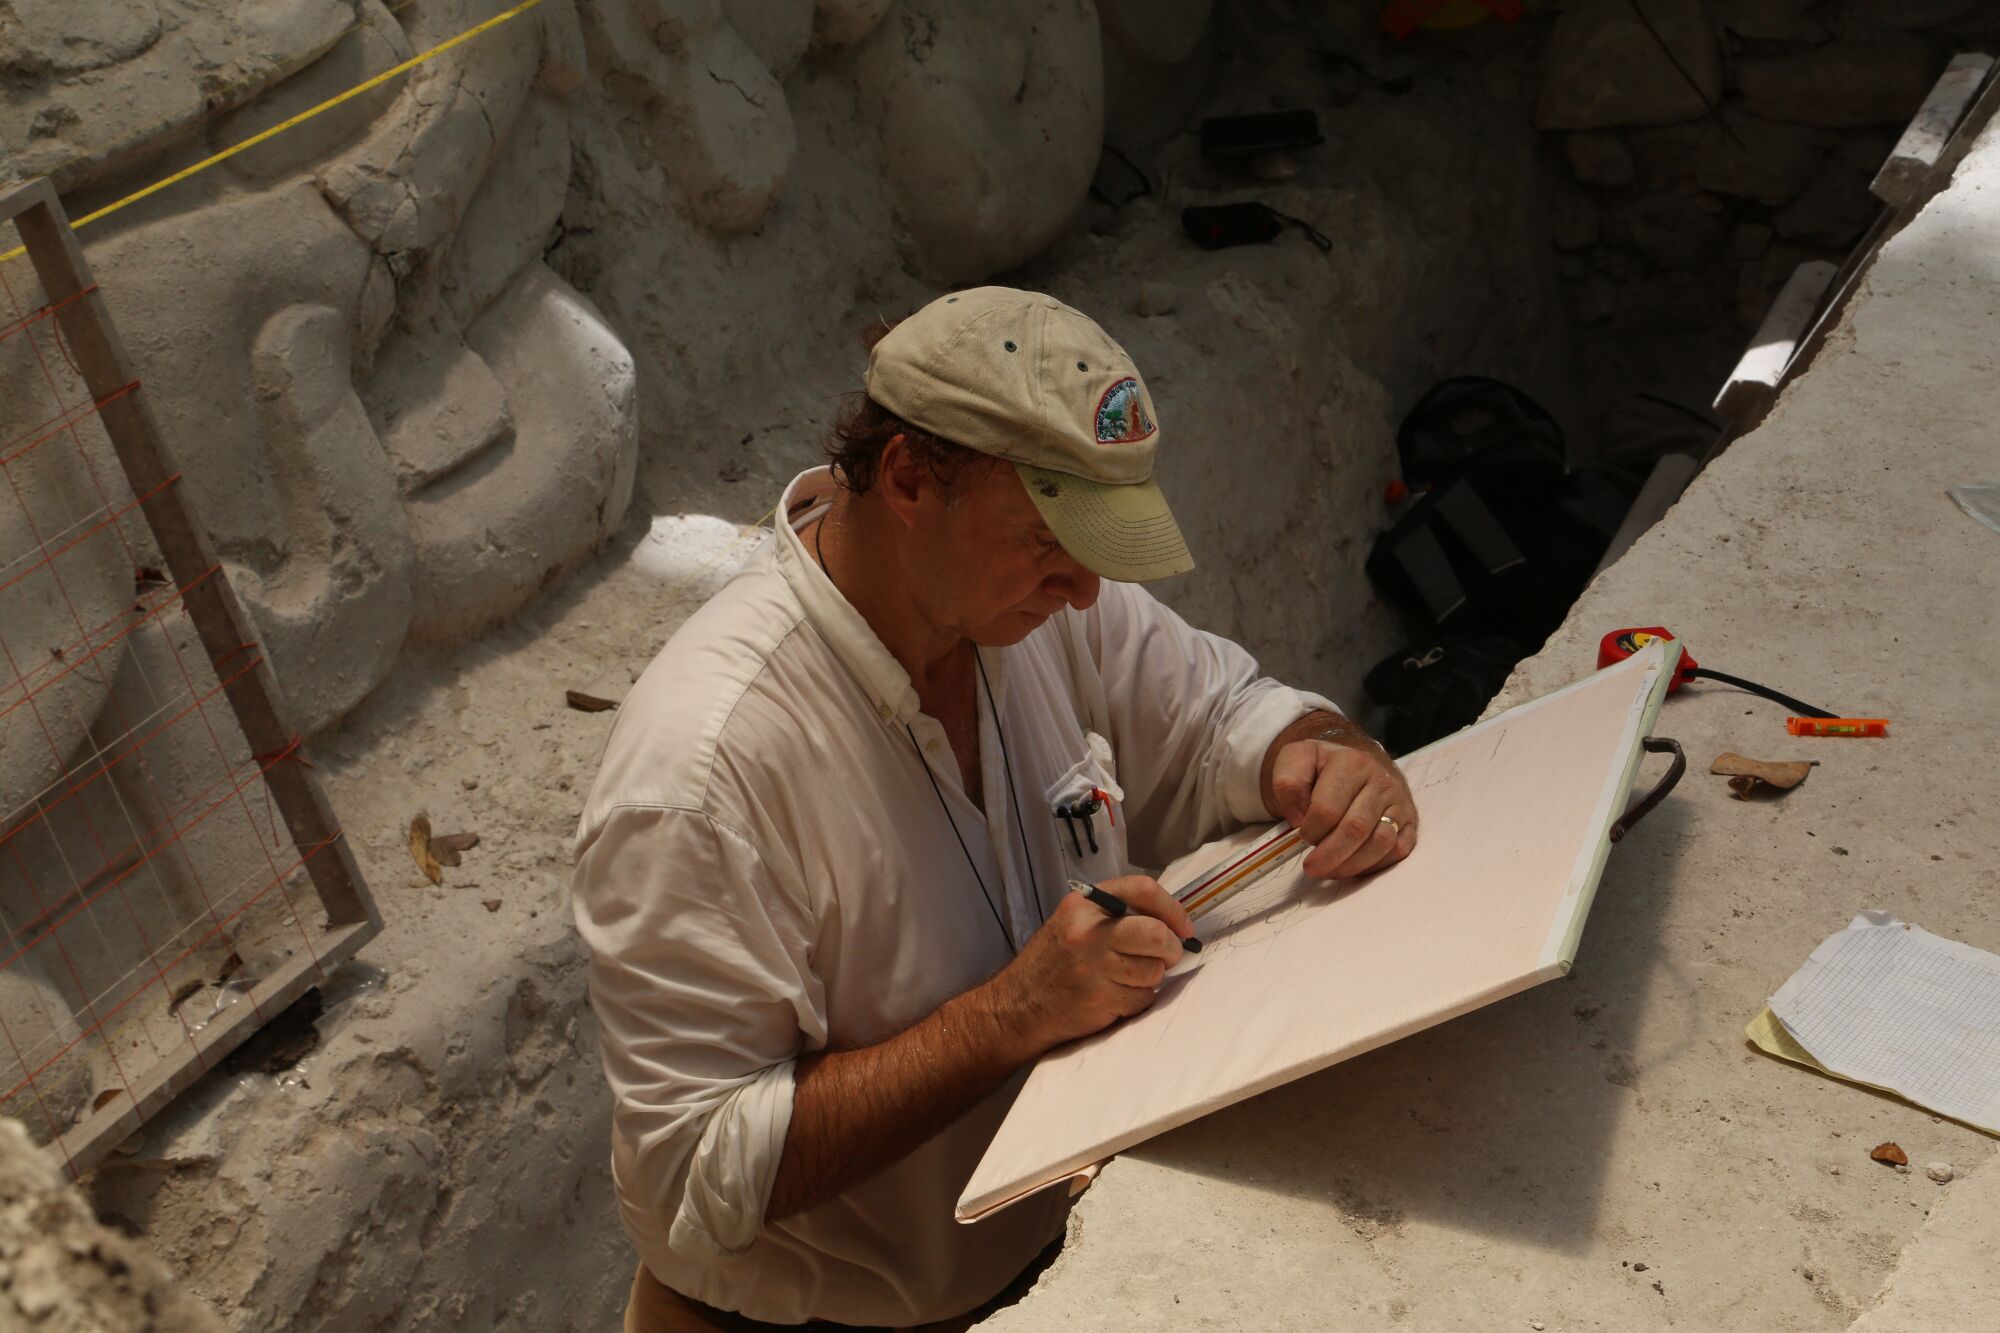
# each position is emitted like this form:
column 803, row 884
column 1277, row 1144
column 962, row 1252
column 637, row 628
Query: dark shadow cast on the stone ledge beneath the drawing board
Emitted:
column 1499, row 1122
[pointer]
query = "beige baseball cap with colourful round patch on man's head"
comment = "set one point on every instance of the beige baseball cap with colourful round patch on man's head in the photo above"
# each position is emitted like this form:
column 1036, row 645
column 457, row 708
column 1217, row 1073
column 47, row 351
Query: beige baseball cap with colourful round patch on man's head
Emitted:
column 1025, row 377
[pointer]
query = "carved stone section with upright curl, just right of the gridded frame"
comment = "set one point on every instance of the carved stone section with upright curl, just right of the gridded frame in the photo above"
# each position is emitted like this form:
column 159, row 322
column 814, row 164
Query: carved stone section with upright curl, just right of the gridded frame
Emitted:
column 241, row 317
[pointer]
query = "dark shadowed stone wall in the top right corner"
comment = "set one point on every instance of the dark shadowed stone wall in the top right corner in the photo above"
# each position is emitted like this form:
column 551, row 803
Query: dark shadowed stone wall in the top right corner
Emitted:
column 1689, row 183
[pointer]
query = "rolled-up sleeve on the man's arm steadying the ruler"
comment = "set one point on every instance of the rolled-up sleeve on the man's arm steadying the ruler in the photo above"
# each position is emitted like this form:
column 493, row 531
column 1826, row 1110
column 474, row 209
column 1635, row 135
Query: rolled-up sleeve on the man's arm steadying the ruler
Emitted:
column 1191, row 722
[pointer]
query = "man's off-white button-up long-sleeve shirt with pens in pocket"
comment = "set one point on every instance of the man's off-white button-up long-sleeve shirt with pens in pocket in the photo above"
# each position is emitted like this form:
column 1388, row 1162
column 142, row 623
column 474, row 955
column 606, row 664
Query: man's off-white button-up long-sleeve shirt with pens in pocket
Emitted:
column 765, row 872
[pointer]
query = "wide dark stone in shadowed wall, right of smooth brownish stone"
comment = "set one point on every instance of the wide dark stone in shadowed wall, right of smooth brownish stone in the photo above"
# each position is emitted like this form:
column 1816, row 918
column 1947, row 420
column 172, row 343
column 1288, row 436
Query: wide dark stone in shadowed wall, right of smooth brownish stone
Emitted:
column 1875, row 81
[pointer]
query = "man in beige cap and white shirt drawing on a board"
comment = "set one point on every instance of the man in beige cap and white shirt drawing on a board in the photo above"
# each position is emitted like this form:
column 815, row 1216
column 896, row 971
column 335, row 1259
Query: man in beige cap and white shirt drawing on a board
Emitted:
column 825, row 868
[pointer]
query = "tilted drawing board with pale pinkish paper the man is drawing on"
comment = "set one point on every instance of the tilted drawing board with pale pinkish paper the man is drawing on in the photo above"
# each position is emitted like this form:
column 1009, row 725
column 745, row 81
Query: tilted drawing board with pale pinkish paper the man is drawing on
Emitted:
column 1303, row 974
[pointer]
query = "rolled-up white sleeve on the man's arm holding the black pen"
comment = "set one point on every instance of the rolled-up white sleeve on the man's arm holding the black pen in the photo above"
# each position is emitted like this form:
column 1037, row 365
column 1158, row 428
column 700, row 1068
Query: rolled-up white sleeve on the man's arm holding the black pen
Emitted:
column 705, row 998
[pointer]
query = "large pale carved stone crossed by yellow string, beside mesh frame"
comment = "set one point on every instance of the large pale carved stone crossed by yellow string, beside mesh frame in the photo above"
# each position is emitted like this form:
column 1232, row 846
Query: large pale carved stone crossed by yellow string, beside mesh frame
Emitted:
column 397, row 421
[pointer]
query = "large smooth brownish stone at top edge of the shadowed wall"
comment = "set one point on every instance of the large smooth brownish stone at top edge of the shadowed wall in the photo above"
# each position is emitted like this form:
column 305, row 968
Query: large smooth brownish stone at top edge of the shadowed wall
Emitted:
column 1605, row 67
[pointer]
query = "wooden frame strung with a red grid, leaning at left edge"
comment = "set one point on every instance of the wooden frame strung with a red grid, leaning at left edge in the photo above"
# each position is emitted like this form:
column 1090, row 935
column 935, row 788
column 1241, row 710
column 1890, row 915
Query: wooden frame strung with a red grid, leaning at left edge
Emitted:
column 171, row 874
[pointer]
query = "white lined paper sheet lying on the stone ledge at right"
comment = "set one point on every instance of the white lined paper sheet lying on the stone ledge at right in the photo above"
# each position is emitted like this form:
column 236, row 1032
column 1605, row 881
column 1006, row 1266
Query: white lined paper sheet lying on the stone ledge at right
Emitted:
column 1895, row 1006
